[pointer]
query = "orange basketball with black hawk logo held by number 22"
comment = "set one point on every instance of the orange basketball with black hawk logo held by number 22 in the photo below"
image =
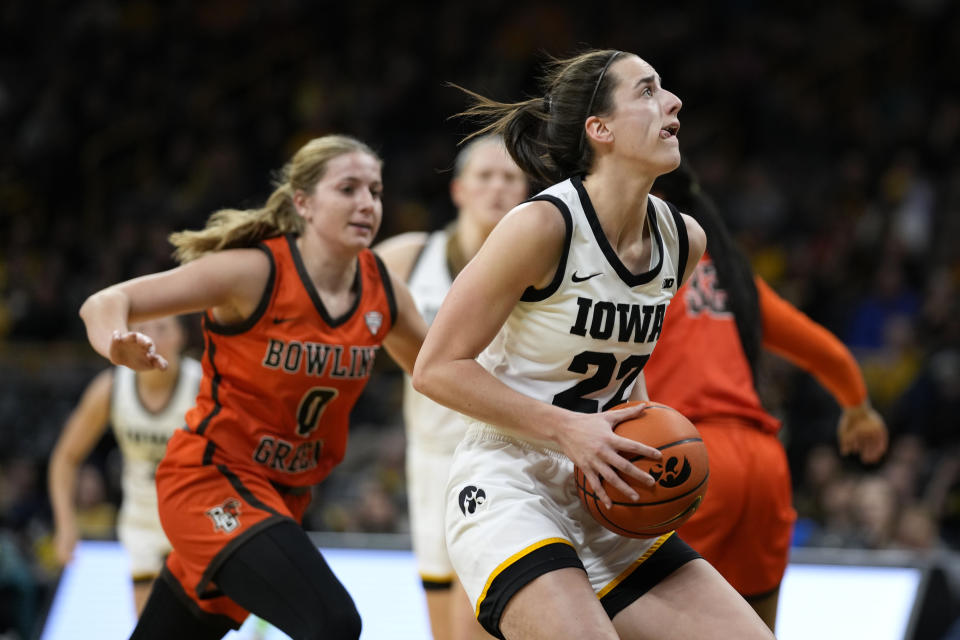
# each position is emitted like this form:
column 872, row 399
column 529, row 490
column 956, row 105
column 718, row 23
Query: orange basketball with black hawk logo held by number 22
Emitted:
column 681, row 476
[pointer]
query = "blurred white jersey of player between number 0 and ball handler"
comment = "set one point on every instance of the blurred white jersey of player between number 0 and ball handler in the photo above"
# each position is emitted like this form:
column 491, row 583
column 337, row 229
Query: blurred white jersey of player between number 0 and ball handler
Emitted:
column 430, row 426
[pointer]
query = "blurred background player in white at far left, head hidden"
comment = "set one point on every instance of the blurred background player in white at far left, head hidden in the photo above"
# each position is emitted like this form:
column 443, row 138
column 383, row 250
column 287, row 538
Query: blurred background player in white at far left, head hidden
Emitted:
column 144, row 409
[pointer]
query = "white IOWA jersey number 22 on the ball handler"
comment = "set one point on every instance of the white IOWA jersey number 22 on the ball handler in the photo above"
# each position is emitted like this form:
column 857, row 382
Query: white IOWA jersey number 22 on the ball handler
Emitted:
column 581, row 342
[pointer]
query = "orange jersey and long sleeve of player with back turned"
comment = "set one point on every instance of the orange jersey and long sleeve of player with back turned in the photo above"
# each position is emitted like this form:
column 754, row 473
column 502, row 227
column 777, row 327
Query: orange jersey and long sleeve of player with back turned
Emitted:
column 699, row 366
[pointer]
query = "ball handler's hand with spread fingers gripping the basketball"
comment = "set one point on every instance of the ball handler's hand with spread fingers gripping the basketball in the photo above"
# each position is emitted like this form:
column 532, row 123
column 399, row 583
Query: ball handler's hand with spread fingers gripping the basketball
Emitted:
column 589, row 441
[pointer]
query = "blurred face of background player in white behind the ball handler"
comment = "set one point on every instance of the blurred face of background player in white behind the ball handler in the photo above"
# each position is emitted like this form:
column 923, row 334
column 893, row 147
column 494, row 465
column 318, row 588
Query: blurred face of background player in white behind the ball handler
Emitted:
column 489, row 185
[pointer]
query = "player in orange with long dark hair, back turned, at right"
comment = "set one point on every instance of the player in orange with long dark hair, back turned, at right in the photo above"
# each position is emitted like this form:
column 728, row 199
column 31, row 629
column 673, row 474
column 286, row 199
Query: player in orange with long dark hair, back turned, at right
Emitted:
column 704, row 367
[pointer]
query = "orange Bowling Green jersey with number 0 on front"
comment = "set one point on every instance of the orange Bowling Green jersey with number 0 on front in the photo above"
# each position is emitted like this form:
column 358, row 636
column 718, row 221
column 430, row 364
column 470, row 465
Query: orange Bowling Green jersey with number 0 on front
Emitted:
column 278, row 388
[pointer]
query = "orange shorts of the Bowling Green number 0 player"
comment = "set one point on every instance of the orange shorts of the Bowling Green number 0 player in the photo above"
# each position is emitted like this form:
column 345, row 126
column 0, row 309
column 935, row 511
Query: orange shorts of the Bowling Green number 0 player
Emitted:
column 208, row 507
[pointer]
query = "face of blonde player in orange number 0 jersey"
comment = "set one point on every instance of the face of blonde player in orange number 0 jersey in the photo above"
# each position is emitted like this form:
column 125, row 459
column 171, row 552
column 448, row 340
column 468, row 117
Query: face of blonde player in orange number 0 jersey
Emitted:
column 345, row 206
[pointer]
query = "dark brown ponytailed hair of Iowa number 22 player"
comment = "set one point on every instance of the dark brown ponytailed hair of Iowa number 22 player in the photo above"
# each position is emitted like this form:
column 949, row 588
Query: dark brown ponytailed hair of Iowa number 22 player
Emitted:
column 545, row 135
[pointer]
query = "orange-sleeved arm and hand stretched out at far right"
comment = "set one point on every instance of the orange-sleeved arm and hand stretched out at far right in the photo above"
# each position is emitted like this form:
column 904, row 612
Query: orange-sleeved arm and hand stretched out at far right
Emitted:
column 788, row 332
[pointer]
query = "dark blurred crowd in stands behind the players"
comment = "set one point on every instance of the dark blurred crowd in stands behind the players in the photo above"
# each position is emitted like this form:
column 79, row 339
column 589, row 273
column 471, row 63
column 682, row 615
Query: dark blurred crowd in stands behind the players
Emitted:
column 828, row 133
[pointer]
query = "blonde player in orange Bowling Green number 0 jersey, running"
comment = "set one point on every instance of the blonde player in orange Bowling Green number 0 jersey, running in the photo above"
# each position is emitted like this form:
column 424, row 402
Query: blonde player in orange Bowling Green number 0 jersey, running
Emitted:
column 296, row 308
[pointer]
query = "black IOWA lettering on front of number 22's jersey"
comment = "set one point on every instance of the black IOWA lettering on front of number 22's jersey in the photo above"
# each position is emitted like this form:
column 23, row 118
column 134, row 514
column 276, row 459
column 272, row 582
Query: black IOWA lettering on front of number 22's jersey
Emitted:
column 618, row 321
